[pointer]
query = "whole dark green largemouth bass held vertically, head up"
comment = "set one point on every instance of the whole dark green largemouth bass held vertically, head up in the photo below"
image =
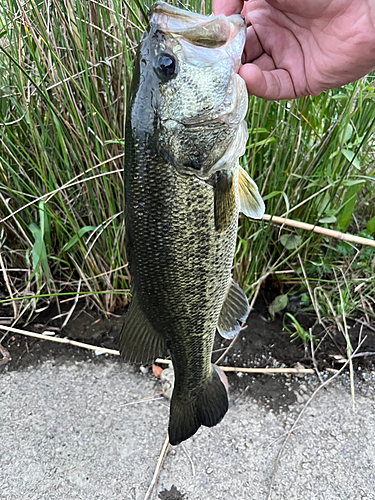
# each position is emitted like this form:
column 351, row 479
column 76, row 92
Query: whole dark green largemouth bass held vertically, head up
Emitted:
column 184, row 188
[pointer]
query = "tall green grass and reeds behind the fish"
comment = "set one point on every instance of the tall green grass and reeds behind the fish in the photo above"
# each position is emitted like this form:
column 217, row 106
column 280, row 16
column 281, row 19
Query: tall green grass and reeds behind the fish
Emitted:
column 65, row 68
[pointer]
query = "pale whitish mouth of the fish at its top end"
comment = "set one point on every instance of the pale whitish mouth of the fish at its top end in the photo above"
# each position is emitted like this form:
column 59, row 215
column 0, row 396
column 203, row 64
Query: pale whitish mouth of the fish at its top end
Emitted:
column 203, row 31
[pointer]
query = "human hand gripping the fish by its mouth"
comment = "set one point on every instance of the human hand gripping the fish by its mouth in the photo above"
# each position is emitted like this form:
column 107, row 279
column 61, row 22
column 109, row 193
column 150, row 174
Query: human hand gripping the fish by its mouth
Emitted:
column 296, row 48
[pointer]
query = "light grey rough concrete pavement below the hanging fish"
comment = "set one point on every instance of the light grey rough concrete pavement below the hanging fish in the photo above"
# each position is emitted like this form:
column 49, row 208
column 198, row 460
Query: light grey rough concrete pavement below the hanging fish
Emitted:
column 67, row 431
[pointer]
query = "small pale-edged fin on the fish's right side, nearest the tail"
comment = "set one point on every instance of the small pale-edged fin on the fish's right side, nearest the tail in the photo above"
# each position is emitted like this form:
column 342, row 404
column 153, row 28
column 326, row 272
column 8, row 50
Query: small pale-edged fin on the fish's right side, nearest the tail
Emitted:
column 234, row 311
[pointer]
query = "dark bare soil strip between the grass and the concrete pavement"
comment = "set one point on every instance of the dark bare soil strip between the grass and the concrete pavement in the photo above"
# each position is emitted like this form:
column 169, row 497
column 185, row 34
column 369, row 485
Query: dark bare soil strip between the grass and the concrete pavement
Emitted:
column 263, row 343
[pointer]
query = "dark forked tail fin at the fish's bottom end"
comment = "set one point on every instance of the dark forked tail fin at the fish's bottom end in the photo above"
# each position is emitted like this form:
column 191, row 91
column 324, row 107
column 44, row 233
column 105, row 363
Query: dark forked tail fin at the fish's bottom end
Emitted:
column 207, row 409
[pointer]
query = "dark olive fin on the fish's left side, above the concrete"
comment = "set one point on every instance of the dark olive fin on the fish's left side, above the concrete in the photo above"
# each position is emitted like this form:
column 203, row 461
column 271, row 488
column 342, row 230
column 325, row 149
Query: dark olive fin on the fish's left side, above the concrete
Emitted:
column 139, row 342
